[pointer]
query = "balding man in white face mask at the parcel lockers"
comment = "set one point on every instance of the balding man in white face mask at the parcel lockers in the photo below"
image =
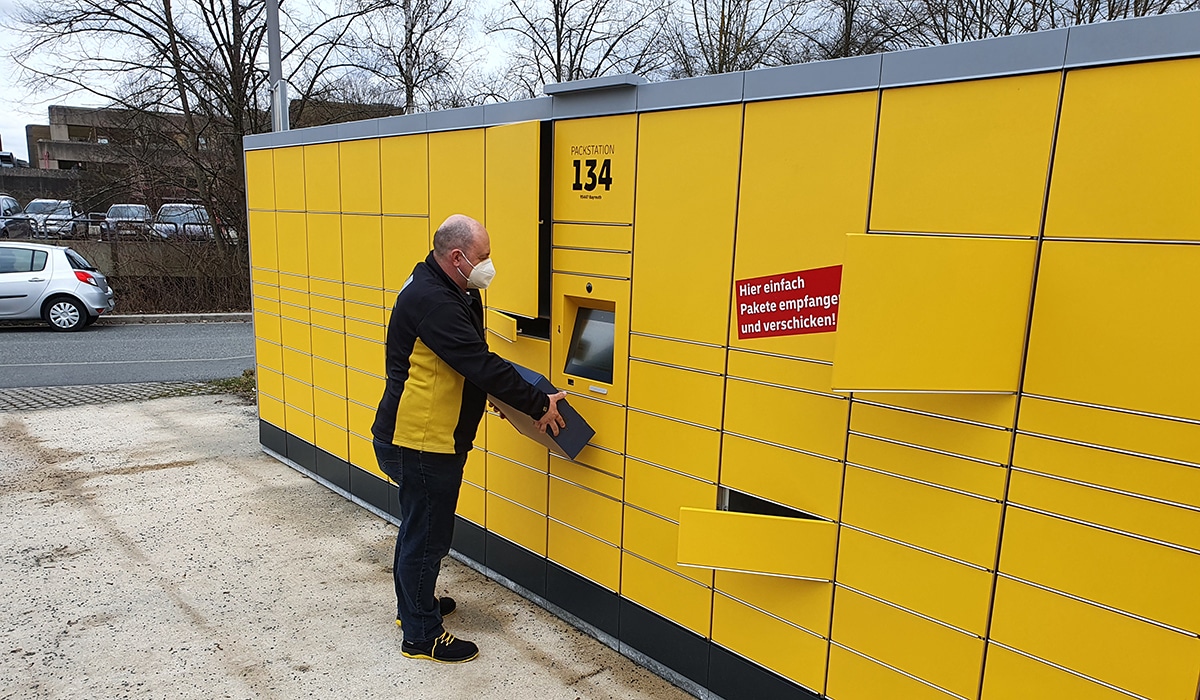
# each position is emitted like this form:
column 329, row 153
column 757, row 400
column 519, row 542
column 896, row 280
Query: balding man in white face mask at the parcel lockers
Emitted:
column 440, row 374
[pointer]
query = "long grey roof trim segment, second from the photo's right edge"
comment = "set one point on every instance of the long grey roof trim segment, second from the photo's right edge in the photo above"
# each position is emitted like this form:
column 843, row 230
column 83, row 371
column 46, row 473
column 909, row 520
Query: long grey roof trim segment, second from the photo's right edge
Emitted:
column 1009, row 56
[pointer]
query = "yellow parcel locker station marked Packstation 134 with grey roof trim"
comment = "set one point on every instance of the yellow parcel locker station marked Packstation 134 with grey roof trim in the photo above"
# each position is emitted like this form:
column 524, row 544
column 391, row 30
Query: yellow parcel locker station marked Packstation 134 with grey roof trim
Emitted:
column 891, row 361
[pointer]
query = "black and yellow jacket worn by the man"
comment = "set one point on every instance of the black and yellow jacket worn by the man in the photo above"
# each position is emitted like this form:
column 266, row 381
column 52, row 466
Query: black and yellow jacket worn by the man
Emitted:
column 440, row 370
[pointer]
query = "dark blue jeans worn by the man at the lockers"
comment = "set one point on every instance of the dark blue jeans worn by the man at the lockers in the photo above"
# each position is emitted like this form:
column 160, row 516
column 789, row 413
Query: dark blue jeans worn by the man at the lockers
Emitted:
column 429, row 498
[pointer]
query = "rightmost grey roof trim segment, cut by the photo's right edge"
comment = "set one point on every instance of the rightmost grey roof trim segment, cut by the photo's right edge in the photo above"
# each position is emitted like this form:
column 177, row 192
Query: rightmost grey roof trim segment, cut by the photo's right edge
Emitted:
column 1135, row 40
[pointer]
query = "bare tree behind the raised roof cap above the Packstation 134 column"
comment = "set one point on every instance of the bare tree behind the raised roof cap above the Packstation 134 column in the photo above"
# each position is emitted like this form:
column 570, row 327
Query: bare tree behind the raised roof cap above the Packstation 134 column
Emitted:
column 568, row 40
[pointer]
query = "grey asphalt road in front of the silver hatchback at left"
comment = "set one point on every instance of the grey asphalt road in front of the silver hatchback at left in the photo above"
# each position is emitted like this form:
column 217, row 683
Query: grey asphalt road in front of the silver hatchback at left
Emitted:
column 118, row 355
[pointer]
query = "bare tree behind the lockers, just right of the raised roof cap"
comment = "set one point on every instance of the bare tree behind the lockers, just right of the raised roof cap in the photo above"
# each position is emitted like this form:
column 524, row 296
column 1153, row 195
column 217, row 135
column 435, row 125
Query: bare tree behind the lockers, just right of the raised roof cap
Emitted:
column 719, row 37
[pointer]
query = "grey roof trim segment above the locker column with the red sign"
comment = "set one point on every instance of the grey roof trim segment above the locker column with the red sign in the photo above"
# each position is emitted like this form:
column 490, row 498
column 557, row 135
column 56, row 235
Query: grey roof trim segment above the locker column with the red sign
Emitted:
column 818, row 79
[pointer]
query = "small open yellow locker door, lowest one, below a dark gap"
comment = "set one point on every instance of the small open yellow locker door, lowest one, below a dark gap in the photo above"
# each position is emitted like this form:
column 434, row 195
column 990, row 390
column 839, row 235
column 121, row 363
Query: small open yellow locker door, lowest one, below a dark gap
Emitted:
column 758, row 545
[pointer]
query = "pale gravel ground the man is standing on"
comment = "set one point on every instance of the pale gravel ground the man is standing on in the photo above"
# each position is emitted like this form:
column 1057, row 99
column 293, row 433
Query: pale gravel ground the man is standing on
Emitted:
column 151, row 551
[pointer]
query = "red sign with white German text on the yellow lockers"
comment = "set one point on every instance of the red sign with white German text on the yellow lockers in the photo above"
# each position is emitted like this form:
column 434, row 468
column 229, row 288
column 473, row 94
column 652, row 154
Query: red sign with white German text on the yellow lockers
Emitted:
column 789, row 304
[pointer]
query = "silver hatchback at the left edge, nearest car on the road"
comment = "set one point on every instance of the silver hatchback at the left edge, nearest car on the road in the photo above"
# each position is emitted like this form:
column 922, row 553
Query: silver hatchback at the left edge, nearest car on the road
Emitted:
column 51, row 283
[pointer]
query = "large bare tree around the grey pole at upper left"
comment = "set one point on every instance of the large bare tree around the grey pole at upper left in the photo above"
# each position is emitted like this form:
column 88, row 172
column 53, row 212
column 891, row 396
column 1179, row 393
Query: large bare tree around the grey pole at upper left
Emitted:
column 190, row 70
